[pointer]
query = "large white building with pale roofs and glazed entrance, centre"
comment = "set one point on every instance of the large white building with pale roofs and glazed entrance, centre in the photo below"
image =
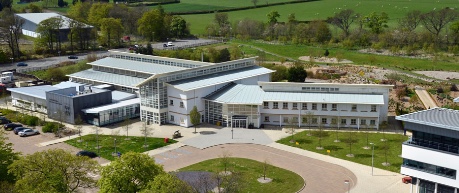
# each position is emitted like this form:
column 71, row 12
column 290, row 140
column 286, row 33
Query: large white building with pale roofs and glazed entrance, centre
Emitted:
column 237, row 91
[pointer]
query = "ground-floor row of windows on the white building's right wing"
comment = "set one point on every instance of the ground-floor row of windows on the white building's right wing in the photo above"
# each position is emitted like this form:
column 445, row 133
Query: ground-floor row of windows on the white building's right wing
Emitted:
column 323, row 120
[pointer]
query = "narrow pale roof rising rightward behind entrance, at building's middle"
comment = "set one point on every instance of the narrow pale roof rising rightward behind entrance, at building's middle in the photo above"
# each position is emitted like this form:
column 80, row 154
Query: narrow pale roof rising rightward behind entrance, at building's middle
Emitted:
column 219, row 78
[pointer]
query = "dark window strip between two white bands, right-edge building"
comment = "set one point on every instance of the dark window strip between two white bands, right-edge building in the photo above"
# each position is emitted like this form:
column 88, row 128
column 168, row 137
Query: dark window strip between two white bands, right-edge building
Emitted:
column 430, row 168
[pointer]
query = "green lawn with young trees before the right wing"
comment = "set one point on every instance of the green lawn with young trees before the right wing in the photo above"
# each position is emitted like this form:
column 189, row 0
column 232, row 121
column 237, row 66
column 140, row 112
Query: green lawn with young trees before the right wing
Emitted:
column 361, row 155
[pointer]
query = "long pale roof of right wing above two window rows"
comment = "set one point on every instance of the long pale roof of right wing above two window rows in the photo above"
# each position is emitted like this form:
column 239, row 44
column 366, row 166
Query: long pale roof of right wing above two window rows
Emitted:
column 341, row 98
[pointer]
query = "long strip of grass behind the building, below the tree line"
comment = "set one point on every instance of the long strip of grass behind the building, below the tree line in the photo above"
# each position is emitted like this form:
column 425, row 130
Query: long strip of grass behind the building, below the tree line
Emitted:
column 393, row 62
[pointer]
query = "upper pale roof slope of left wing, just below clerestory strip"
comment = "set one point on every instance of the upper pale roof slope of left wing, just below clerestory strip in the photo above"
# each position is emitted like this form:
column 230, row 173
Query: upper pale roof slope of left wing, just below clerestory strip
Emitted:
column 137, row 66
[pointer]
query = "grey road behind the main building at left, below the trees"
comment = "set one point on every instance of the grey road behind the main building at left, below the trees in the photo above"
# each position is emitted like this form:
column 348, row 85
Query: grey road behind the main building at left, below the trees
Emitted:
column 48, row 61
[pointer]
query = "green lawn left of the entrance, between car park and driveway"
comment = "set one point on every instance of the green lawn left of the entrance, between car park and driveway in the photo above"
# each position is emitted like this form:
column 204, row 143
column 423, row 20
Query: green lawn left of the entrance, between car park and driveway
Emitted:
column 107, row 144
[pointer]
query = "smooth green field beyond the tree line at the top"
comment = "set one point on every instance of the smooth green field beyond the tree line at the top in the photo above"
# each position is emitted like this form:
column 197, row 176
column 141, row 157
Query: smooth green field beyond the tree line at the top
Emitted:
column 323, row 9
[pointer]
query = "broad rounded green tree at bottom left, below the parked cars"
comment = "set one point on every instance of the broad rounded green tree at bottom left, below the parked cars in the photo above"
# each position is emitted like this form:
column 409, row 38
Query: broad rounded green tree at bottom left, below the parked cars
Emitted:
column 53, row 170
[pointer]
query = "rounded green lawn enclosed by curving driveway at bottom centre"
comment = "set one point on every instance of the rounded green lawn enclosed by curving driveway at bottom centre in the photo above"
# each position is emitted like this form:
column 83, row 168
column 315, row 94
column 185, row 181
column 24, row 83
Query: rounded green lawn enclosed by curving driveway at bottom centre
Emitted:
column 283, row 180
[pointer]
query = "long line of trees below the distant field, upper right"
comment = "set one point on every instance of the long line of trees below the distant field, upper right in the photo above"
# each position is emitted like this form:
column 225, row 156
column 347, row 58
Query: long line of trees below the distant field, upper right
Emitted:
column 439, row 31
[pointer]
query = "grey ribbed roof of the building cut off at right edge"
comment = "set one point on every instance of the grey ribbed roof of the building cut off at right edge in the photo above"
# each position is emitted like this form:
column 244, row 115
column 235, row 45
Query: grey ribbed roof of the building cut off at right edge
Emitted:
column 435, row 117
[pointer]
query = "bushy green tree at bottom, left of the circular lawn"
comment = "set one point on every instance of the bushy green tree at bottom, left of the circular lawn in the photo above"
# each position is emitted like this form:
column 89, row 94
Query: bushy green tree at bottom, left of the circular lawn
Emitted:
column 130, row 173
